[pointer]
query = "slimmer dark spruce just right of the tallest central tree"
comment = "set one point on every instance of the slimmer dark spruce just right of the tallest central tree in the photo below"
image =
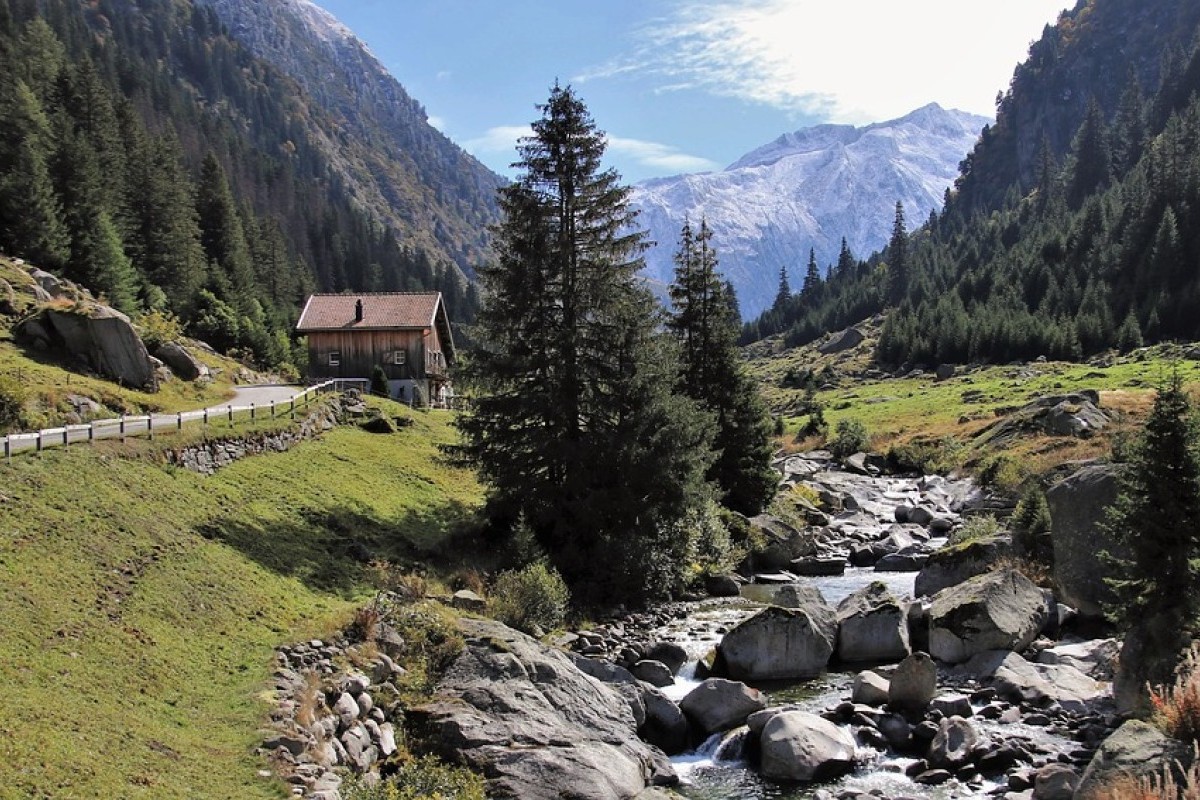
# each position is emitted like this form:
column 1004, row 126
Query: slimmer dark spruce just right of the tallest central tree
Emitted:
column 713, row 376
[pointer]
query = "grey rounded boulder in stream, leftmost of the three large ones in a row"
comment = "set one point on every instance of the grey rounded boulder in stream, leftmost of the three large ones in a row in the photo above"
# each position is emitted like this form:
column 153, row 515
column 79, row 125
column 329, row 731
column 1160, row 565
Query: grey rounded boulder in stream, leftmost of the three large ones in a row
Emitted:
column 781, row 645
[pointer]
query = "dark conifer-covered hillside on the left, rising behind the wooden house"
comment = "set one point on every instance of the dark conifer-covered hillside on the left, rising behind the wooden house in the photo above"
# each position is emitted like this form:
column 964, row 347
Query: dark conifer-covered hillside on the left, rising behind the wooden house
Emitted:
column 149, row 155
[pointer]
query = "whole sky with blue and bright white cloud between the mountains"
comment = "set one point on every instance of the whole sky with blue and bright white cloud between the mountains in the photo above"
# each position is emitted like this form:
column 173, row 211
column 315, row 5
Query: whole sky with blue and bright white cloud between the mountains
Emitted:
column 692, row 86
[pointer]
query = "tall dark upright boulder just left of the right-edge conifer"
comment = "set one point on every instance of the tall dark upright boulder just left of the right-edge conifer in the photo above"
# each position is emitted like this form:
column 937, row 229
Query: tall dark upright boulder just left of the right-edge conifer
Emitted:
column 1077, row 510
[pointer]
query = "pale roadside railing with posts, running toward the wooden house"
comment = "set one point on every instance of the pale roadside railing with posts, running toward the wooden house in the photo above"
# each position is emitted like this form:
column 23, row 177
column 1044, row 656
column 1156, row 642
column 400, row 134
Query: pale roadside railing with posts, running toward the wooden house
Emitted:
column 149, row 424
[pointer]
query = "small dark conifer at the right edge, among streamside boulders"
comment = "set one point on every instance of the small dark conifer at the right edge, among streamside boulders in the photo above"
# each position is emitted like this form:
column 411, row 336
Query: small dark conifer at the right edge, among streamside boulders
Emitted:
column 1157, row 515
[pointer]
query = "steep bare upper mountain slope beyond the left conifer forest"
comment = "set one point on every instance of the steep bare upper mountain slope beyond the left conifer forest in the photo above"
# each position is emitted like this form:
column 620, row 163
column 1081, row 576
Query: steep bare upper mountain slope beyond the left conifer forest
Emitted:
column 401, row 169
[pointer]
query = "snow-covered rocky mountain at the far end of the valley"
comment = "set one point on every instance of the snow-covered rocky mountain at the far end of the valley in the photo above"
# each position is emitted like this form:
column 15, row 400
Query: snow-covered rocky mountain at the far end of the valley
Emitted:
column 809, row 189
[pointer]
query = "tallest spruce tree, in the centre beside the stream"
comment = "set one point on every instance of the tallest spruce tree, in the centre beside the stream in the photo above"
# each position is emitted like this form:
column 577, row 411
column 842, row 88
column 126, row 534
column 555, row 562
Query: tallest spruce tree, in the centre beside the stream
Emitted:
column 574, row 424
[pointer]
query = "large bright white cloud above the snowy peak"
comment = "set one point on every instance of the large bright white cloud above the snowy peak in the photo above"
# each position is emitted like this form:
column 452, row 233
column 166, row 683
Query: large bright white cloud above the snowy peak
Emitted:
column 851, row 61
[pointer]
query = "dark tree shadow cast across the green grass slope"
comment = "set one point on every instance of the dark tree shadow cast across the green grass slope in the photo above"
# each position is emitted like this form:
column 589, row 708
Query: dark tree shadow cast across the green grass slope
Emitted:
column 329, row 550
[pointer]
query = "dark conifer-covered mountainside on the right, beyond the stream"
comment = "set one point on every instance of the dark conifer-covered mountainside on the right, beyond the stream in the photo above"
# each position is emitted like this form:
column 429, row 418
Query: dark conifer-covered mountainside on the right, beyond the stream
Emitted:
column 1089, row 245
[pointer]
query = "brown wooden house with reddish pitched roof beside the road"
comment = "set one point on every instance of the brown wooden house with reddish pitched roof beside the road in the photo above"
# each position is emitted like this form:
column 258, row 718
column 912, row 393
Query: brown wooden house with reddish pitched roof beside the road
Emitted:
column 407, row 334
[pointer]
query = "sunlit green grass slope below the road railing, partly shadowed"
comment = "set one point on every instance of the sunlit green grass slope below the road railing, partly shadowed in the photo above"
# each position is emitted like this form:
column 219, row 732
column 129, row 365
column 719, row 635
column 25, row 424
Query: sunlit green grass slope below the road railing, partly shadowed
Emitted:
column 141, row 604
